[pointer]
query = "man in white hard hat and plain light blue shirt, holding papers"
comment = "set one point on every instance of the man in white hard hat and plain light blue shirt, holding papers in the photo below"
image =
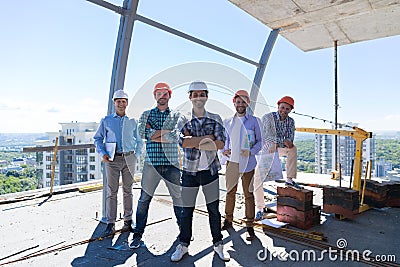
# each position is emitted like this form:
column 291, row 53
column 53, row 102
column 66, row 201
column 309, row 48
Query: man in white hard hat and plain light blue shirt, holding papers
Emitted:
column 118, row 141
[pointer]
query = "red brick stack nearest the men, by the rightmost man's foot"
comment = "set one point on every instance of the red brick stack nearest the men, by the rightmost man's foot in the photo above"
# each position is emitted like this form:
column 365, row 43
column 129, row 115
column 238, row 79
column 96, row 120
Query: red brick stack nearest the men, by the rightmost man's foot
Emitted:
column 296, row 208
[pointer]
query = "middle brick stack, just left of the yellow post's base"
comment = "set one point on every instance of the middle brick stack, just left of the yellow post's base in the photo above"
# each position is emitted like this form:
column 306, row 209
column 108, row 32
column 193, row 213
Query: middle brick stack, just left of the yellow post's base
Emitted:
column 341, row 201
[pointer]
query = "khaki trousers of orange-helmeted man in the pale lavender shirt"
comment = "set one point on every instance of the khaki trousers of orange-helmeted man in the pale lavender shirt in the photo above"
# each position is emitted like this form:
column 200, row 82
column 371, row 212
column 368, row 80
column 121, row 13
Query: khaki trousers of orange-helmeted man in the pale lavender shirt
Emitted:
column 232, row 179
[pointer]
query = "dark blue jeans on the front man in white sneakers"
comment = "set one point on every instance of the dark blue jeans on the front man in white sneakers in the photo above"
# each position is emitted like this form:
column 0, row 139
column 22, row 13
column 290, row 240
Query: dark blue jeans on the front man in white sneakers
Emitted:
column 190, row 188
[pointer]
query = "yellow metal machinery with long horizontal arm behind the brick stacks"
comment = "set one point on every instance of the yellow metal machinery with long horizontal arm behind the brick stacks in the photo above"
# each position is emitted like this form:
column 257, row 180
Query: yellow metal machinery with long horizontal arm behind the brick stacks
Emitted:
column 359, row 135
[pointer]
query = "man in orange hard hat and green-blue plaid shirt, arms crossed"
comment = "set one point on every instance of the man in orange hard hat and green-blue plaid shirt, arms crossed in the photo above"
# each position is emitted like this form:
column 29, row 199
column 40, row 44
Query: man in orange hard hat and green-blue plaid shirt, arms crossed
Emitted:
column 158, row 127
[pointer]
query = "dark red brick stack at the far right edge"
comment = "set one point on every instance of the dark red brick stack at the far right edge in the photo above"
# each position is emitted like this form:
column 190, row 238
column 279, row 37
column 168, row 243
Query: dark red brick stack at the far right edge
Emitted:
column 379, row 195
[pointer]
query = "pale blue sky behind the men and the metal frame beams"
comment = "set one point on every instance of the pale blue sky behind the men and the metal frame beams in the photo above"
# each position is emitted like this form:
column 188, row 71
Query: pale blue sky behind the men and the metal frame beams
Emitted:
column 56, row 61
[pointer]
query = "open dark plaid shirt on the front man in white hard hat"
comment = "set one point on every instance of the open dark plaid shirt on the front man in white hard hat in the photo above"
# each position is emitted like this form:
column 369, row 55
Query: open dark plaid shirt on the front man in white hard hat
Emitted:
column 210, row 124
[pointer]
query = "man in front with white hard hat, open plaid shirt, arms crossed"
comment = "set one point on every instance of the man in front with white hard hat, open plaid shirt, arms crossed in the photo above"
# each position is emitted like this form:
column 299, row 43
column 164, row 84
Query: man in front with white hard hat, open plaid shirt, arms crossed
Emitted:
column 201, row 135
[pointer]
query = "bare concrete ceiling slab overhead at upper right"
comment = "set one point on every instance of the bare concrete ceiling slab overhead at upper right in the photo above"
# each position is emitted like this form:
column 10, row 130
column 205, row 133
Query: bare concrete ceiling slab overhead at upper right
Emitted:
column 316, row 24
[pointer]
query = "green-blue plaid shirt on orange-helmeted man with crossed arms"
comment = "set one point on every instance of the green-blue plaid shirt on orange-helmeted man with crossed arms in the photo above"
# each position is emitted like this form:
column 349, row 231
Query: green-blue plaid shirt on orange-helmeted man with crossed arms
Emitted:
column 158, row 153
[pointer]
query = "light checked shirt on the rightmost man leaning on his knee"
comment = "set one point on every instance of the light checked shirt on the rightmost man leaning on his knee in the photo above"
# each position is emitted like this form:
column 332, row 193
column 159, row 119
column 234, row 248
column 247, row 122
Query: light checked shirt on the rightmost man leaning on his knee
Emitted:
column 276, row 131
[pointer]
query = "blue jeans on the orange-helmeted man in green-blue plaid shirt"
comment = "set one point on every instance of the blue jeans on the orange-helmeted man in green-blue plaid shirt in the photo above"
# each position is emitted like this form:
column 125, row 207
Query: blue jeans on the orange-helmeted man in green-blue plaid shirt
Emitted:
column 151, row 177
